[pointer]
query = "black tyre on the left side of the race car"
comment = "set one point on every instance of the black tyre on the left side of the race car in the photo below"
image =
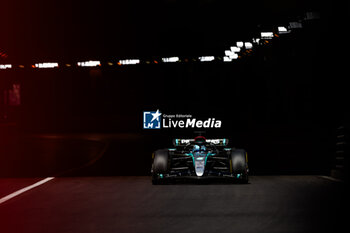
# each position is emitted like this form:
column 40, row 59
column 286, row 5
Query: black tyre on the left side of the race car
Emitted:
column 160, row 166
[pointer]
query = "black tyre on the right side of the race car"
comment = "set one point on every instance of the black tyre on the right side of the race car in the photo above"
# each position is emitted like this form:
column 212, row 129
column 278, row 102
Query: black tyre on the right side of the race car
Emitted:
column 239, row 165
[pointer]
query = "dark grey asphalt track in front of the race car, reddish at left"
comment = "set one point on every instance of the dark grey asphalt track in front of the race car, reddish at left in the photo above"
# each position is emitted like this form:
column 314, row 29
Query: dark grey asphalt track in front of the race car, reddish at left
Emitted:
column 132, row 204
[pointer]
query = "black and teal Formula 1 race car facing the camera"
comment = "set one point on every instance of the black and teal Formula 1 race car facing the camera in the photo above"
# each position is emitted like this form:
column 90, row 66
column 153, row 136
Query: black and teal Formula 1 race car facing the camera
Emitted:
column 199, row 158
